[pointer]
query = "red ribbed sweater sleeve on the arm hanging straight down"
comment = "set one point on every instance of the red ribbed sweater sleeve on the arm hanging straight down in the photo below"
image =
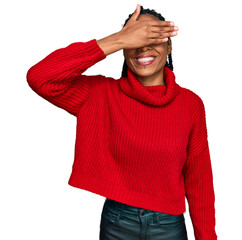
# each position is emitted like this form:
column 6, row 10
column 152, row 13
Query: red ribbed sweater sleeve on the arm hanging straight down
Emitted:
column 198, row 177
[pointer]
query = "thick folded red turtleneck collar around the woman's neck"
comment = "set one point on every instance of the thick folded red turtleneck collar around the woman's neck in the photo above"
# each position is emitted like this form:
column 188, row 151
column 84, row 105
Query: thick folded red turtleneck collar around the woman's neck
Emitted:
column 155, row 95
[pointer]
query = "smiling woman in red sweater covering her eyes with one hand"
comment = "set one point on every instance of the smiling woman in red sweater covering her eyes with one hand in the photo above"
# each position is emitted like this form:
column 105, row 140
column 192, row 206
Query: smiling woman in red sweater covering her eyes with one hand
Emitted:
column 141, row 140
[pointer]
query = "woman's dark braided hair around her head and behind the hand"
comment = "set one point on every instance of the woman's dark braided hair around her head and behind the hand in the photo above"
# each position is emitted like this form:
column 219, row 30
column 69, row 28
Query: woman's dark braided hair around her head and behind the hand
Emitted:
column 157, row 15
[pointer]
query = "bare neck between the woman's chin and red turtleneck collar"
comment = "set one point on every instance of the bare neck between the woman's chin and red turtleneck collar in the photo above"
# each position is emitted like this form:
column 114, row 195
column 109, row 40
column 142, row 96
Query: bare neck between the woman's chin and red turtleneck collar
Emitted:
column 152, row 80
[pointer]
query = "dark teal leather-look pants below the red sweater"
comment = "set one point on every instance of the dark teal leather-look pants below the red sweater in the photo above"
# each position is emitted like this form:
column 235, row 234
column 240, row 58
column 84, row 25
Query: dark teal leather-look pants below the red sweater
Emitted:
column 125, row 222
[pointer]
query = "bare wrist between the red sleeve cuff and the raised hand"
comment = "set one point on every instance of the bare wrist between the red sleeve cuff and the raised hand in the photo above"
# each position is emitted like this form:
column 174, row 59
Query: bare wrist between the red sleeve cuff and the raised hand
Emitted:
column 111, row 43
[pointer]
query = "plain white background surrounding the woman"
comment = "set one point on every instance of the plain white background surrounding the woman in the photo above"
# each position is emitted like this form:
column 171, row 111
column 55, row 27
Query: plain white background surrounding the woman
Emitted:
column 37, row 138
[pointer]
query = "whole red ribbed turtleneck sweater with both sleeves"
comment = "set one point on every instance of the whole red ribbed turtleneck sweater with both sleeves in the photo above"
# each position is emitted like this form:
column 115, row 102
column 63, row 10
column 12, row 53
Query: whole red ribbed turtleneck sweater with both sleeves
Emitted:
column 145, row 146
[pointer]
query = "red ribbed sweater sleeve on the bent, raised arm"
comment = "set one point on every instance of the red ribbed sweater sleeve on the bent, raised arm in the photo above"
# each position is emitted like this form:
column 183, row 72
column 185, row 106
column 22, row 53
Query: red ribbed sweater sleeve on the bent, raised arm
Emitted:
column 58, row 77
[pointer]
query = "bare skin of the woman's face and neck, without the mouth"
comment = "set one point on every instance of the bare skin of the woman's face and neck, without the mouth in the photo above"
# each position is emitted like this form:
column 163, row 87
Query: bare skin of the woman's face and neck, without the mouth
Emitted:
column 152, row 74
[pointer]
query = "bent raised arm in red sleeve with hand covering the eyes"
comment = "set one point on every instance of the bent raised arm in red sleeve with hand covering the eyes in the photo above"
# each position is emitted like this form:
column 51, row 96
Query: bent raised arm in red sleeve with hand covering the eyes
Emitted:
column 59, row 78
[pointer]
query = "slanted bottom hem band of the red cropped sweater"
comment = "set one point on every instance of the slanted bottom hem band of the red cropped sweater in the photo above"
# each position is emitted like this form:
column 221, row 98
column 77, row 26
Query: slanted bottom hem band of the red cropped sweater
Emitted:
column 125, row 195
